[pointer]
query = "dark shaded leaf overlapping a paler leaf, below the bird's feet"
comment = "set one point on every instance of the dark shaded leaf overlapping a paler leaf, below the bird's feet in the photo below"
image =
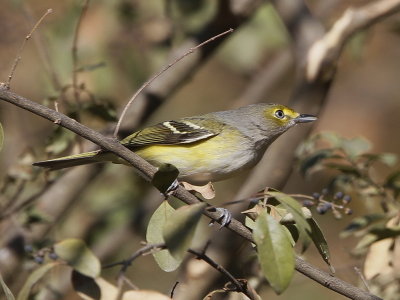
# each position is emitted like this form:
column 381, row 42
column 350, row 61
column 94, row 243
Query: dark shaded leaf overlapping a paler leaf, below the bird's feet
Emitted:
column 179, row 229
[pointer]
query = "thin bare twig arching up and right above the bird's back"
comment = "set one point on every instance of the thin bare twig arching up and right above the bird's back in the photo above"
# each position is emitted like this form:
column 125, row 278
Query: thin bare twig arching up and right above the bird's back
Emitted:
column 148, row 82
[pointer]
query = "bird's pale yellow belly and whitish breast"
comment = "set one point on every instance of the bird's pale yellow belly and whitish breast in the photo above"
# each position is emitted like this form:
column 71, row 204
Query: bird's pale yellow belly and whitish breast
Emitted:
column 199, row 163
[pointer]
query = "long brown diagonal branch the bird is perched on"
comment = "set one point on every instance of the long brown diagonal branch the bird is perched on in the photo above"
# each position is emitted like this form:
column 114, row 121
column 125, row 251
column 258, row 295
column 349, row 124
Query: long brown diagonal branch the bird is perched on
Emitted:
column 147, row 171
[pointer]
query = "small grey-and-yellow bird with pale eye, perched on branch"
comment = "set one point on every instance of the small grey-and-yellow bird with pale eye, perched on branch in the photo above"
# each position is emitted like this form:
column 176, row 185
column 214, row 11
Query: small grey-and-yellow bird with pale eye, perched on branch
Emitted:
column 204, row 148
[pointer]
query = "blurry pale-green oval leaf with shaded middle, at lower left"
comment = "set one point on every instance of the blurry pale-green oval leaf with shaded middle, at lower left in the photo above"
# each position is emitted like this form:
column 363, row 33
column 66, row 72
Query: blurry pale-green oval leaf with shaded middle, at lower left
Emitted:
column 78, row 256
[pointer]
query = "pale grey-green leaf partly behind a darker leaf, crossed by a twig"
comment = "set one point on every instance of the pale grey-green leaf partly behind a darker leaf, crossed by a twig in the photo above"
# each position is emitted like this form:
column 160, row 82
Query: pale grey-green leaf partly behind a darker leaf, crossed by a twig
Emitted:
column 154, row 235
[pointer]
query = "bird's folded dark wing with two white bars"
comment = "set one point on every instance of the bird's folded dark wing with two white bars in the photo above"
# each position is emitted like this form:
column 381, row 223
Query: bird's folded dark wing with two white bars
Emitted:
column 171, row 133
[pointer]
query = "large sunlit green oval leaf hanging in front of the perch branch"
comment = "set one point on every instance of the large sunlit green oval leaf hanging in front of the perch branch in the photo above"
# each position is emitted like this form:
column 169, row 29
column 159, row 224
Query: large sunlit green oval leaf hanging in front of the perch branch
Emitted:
column 275, row 252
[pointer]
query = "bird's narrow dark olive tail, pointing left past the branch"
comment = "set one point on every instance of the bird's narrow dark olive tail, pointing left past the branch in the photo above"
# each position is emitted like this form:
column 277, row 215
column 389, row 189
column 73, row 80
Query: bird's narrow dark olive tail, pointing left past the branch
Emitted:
column 73, row 160
